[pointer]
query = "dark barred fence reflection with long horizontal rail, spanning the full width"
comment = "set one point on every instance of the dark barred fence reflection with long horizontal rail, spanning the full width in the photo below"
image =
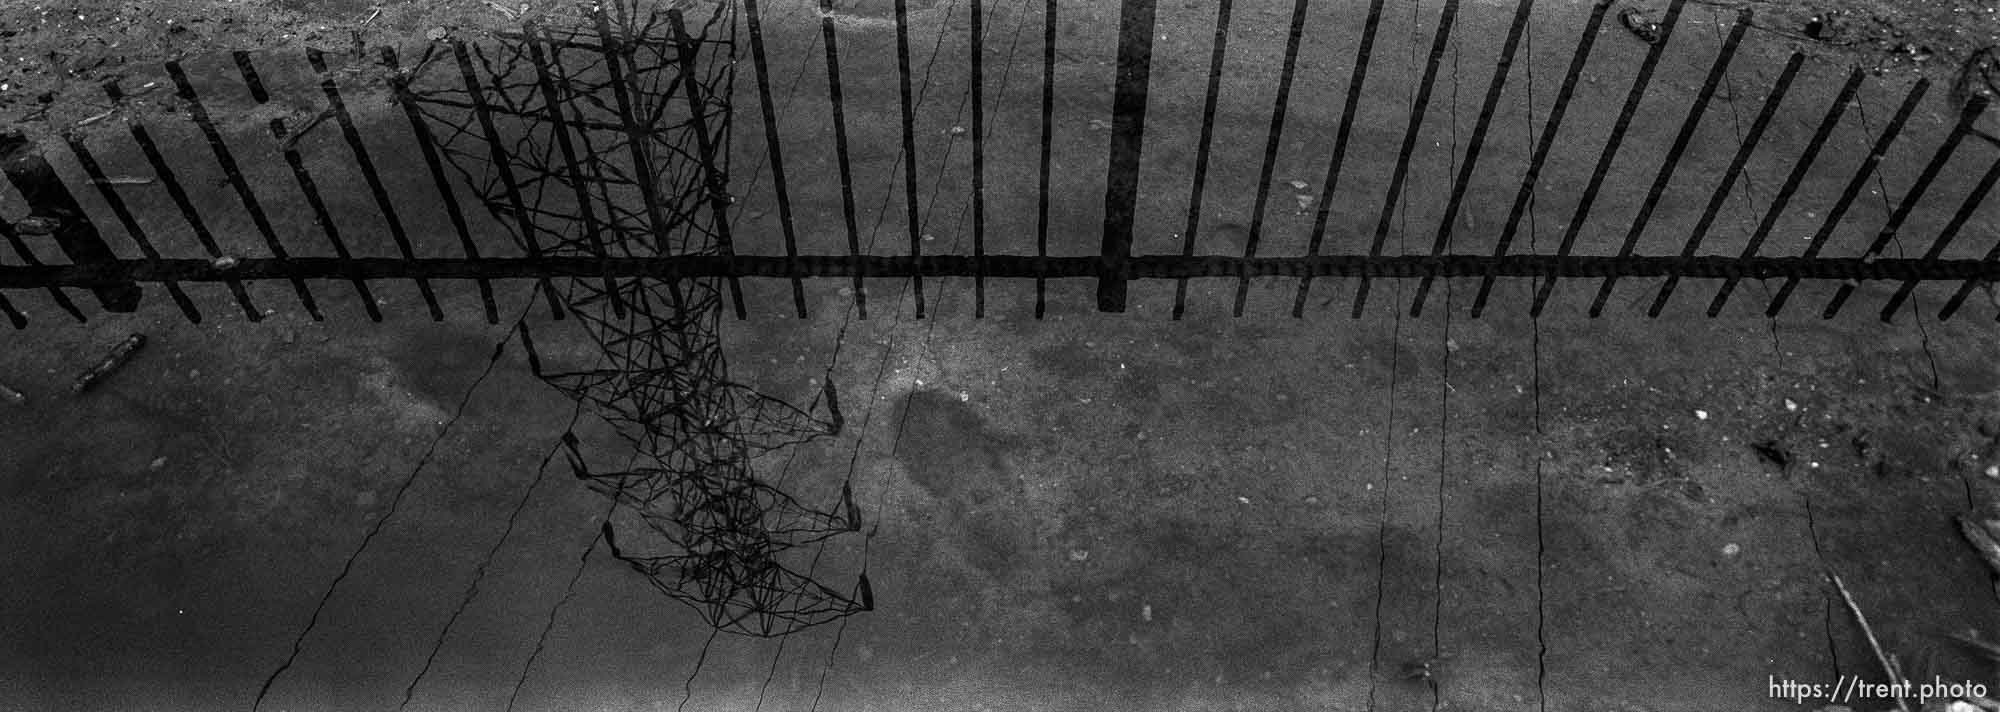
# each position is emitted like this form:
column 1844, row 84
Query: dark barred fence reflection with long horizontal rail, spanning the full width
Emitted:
column 549, row 163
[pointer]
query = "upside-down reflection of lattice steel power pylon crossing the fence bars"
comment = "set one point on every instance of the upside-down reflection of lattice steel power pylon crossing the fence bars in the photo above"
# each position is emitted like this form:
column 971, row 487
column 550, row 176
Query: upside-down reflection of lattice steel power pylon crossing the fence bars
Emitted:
column 613, row 143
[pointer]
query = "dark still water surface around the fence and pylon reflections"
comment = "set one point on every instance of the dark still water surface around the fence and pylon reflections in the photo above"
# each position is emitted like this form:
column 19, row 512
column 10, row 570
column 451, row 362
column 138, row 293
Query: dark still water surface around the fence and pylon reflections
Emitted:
column 1077, row 513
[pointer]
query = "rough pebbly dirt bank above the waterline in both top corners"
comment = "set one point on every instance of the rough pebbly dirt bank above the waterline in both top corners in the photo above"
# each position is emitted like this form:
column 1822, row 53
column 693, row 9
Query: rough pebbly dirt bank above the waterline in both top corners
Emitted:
column 61, row 49
